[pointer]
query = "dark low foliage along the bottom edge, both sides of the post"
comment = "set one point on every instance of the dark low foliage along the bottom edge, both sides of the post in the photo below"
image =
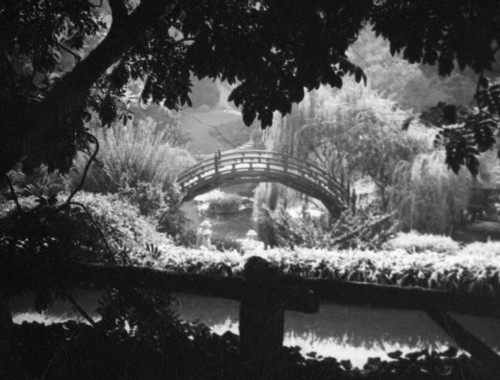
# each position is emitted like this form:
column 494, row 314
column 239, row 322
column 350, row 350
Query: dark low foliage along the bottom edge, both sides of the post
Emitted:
column 76, row 351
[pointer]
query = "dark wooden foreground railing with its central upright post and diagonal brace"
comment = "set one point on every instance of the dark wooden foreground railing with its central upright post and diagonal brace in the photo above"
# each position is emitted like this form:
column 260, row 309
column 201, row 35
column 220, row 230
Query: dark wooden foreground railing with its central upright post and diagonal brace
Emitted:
column 264, row 295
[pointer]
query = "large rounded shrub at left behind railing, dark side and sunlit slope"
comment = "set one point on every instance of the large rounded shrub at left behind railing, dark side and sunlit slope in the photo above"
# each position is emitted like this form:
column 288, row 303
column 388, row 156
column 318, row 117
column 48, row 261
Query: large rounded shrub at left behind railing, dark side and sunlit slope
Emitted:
column 112, row 227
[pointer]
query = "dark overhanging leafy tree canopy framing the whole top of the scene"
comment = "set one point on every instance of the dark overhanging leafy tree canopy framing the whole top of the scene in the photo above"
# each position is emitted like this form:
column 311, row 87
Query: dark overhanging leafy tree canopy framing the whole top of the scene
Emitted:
column 62, row 60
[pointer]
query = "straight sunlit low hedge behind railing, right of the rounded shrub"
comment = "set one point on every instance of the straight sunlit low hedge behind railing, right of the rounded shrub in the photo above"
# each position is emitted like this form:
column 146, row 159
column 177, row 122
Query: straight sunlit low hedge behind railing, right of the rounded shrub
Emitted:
column 470, row 270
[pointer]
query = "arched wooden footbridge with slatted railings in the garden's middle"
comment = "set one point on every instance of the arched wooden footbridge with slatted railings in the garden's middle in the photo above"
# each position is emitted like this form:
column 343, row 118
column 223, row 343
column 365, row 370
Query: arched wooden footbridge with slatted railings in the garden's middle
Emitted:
column 264, row 166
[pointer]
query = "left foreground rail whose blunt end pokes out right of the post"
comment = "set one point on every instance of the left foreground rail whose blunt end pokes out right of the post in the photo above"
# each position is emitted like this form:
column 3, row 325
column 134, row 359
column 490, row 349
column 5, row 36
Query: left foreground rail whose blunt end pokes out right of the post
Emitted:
column 97, row 276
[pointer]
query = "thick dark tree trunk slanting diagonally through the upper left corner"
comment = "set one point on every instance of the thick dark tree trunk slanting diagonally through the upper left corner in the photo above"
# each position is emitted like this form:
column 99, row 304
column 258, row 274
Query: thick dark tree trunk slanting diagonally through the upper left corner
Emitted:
column 67, row 99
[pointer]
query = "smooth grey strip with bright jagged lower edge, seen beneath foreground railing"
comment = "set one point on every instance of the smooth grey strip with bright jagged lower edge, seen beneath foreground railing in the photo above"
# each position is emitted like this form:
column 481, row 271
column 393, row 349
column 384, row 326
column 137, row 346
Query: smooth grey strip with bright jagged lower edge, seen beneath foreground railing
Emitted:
column 345, row 332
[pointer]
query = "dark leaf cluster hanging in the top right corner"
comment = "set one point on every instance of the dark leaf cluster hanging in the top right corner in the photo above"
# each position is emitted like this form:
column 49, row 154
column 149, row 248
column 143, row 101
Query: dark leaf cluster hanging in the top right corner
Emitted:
column 445, row 33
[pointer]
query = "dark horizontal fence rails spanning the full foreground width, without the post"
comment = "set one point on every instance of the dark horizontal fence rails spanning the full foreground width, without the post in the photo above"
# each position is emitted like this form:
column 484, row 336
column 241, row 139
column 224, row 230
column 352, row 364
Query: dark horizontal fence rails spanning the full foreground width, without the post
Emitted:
column 292, row 289
